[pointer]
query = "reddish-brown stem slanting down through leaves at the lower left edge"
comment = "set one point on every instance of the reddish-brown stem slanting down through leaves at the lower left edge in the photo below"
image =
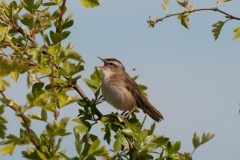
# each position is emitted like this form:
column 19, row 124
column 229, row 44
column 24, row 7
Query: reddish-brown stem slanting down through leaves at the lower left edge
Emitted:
column 25, row 122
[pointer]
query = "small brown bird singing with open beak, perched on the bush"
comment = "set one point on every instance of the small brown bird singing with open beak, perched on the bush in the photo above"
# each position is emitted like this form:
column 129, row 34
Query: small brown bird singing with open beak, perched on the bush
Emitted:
column 122, row 92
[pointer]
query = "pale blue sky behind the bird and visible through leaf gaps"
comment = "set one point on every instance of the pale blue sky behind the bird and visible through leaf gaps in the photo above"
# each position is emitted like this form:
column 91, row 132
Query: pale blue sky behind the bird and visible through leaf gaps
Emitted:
column 193, row 80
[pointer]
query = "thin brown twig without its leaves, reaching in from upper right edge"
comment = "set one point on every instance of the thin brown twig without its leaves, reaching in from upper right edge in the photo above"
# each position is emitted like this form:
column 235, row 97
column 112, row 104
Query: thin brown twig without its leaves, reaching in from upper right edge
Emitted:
column 154, row 21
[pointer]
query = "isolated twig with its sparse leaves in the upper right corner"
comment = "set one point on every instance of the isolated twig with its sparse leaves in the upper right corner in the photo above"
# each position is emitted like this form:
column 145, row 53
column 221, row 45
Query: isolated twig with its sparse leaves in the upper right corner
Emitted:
column 189, row 9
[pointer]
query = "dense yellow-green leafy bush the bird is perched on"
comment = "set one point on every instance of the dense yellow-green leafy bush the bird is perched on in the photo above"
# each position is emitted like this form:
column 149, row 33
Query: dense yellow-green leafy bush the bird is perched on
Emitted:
column 60, row 67
